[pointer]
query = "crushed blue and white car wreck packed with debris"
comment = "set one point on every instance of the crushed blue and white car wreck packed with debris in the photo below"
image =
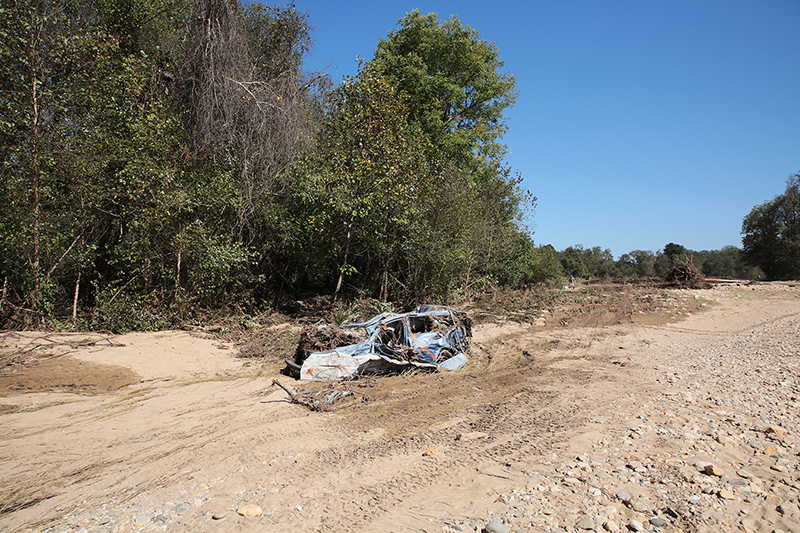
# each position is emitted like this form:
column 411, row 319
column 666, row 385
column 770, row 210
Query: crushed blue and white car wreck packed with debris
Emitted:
column 430, row 337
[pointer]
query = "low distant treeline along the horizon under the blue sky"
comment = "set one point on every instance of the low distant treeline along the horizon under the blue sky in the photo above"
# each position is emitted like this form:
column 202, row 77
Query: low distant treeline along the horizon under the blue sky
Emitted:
column 729, row 262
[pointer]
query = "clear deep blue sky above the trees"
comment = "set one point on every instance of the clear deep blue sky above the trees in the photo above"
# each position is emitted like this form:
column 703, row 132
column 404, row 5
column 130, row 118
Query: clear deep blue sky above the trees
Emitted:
column 638, row 123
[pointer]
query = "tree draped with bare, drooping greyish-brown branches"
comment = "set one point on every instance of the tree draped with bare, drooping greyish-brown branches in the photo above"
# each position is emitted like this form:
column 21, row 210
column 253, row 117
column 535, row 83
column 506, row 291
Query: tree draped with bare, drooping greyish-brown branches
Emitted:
column 244, row 99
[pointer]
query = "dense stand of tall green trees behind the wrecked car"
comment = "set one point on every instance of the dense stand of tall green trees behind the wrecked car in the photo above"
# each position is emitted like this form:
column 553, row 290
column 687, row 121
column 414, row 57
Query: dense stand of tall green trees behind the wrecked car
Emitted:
column 158, row 157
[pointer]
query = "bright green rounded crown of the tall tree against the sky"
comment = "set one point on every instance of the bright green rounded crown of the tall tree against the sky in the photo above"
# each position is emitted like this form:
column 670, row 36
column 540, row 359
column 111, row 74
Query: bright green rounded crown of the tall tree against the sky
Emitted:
column 456, row 94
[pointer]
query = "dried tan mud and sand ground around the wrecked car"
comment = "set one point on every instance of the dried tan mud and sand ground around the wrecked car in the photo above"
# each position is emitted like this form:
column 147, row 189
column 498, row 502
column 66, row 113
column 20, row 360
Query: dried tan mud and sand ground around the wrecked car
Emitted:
column 171, row 432
